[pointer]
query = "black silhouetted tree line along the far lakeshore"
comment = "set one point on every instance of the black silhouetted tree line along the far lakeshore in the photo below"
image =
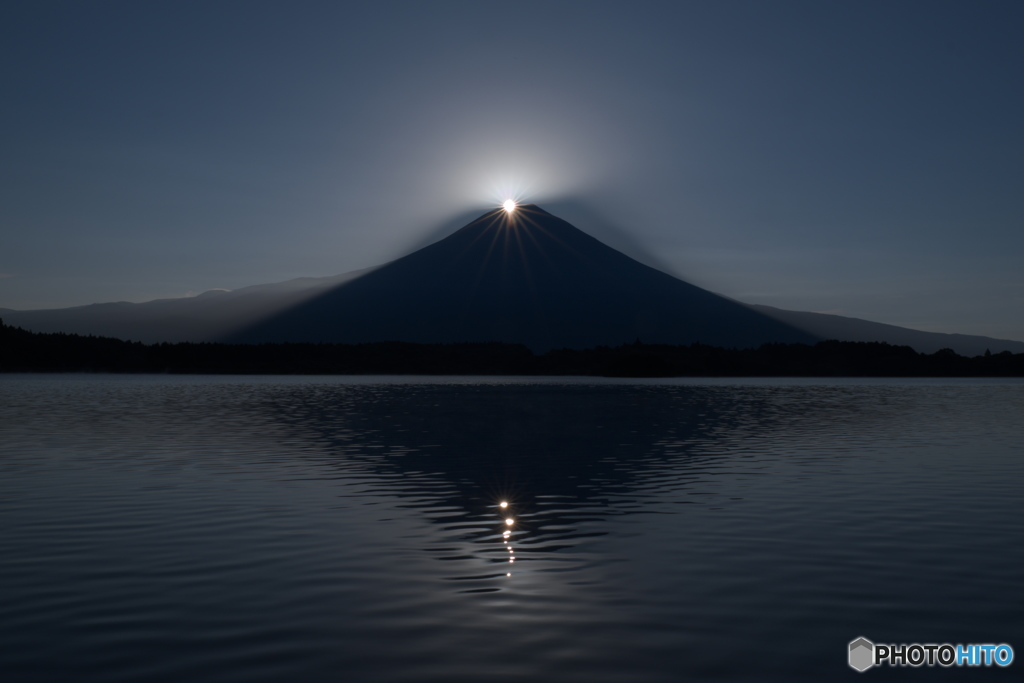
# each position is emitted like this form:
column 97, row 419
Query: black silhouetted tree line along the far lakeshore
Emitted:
column 29, row 352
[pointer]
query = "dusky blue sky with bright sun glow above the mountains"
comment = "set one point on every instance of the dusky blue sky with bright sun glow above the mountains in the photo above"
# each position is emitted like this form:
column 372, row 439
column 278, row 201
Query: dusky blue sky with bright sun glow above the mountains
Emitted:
column 860, row 158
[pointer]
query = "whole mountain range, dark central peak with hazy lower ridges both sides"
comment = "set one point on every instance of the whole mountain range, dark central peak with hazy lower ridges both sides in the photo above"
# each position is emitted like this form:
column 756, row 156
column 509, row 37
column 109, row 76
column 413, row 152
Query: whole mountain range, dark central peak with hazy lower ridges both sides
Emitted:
column 527, row 277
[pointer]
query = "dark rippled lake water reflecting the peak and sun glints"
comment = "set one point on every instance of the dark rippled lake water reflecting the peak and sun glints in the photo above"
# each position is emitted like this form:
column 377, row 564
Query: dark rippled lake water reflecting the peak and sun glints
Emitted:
column 212, row 529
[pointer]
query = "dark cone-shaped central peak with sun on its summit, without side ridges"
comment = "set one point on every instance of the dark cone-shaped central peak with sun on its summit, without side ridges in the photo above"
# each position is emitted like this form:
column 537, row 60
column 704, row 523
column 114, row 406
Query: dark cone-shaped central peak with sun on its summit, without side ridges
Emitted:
column 526, row 277
